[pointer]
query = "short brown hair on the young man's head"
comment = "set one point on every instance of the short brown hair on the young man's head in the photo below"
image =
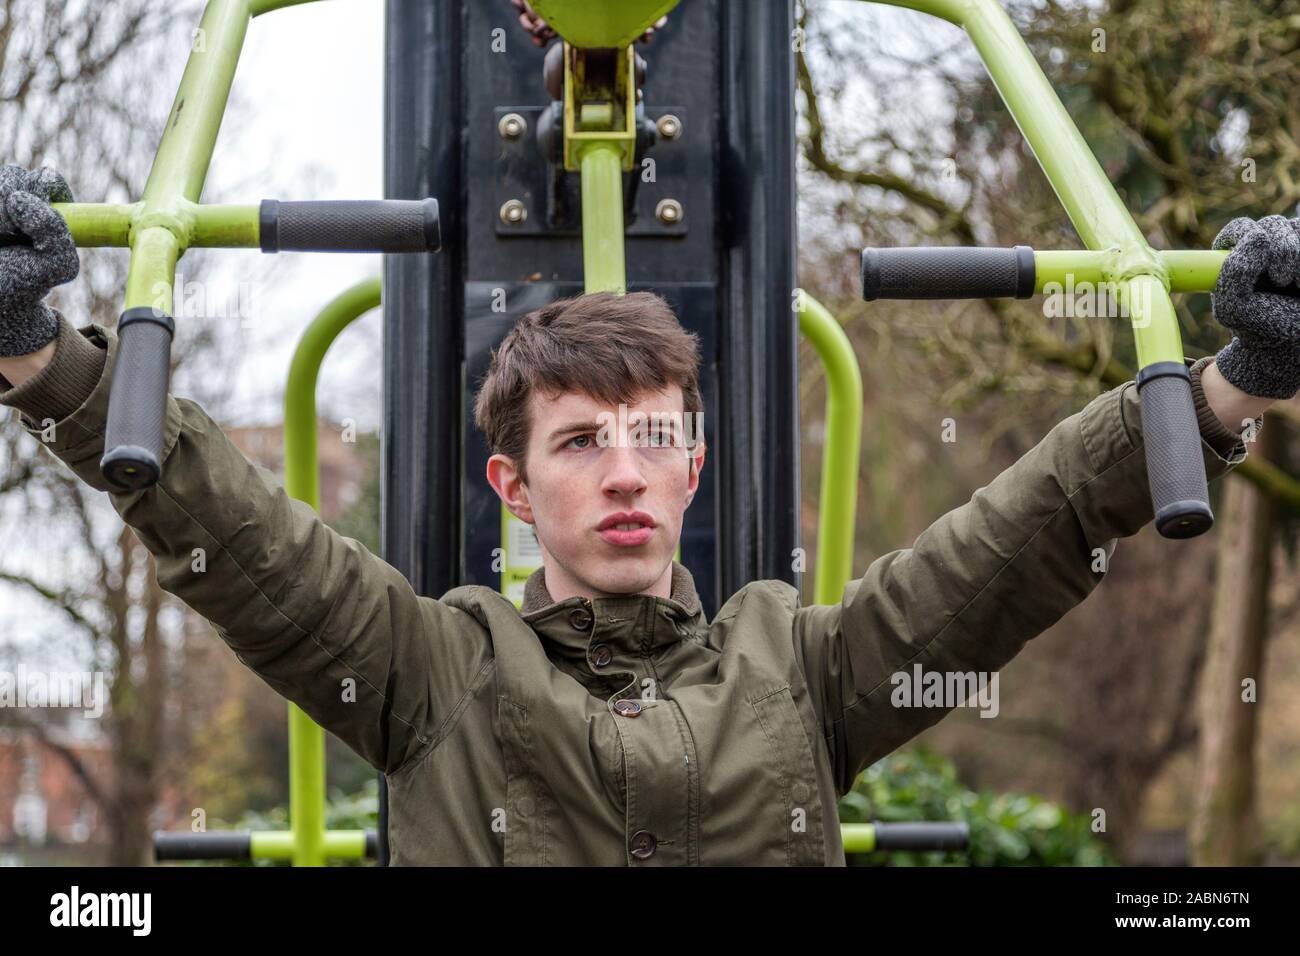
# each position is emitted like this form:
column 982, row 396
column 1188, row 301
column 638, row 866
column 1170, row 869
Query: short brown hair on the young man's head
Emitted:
column 608, row 347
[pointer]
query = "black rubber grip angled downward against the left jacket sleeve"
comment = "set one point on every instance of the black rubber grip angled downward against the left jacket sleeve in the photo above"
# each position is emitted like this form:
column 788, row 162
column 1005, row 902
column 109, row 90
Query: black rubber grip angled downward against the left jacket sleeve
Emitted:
column 137, row 401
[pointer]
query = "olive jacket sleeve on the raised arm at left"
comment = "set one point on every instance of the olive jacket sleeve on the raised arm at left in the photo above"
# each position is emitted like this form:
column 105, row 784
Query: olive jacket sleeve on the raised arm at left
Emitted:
column 324, row 622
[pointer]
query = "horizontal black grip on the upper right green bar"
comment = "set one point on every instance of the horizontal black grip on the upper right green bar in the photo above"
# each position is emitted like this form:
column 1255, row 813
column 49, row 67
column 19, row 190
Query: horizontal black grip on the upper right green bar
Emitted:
column 948, row 272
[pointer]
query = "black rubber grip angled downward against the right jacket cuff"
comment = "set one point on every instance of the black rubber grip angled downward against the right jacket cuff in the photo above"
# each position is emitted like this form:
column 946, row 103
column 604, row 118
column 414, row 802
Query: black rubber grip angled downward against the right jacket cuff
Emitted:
column 1175, row 465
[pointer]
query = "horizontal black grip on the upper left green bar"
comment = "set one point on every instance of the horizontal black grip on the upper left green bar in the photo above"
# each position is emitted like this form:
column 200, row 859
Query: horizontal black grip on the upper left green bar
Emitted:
column 350, row 226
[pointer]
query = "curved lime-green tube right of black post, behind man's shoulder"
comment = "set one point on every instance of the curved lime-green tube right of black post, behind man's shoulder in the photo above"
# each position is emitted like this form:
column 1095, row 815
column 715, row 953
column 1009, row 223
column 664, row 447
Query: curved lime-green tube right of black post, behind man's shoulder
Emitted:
column 839, row 496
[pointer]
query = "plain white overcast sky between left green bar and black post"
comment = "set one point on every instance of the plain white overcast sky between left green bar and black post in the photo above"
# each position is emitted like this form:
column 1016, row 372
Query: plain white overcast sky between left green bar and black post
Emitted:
column 309, row 114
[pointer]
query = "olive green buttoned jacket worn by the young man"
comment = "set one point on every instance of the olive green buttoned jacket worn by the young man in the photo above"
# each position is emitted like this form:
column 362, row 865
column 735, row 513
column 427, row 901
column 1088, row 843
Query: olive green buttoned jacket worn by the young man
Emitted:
column 617, row 732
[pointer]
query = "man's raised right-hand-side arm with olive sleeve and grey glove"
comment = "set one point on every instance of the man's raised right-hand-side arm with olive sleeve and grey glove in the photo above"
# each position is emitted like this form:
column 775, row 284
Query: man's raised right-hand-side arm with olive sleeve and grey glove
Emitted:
column 1000, row 570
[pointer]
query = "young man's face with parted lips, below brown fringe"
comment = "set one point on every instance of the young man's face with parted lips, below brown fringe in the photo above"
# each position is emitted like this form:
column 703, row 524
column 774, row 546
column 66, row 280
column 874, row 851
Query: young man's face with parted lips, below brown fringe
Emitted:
column 606, row 491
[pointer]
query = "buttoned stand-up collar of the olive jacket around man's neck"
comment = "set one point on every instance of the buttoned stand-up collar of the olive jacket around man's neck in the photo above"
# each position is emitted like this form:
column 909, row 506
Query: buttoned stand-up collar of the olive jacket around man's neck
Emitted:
column 632, row 624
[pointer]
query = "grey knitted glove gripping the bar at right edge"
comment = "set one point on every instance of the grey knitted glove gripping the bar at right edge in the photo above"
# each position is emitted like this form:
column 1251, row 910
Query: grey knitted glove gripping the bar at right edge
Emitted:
column 1251, row 300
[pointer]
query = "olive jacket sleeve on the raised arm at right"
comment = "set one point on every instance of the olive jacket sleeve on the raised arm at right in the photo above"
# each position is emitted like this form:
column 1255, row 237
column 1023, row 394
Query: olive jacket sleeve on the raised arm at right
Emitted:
column 983, row 579
